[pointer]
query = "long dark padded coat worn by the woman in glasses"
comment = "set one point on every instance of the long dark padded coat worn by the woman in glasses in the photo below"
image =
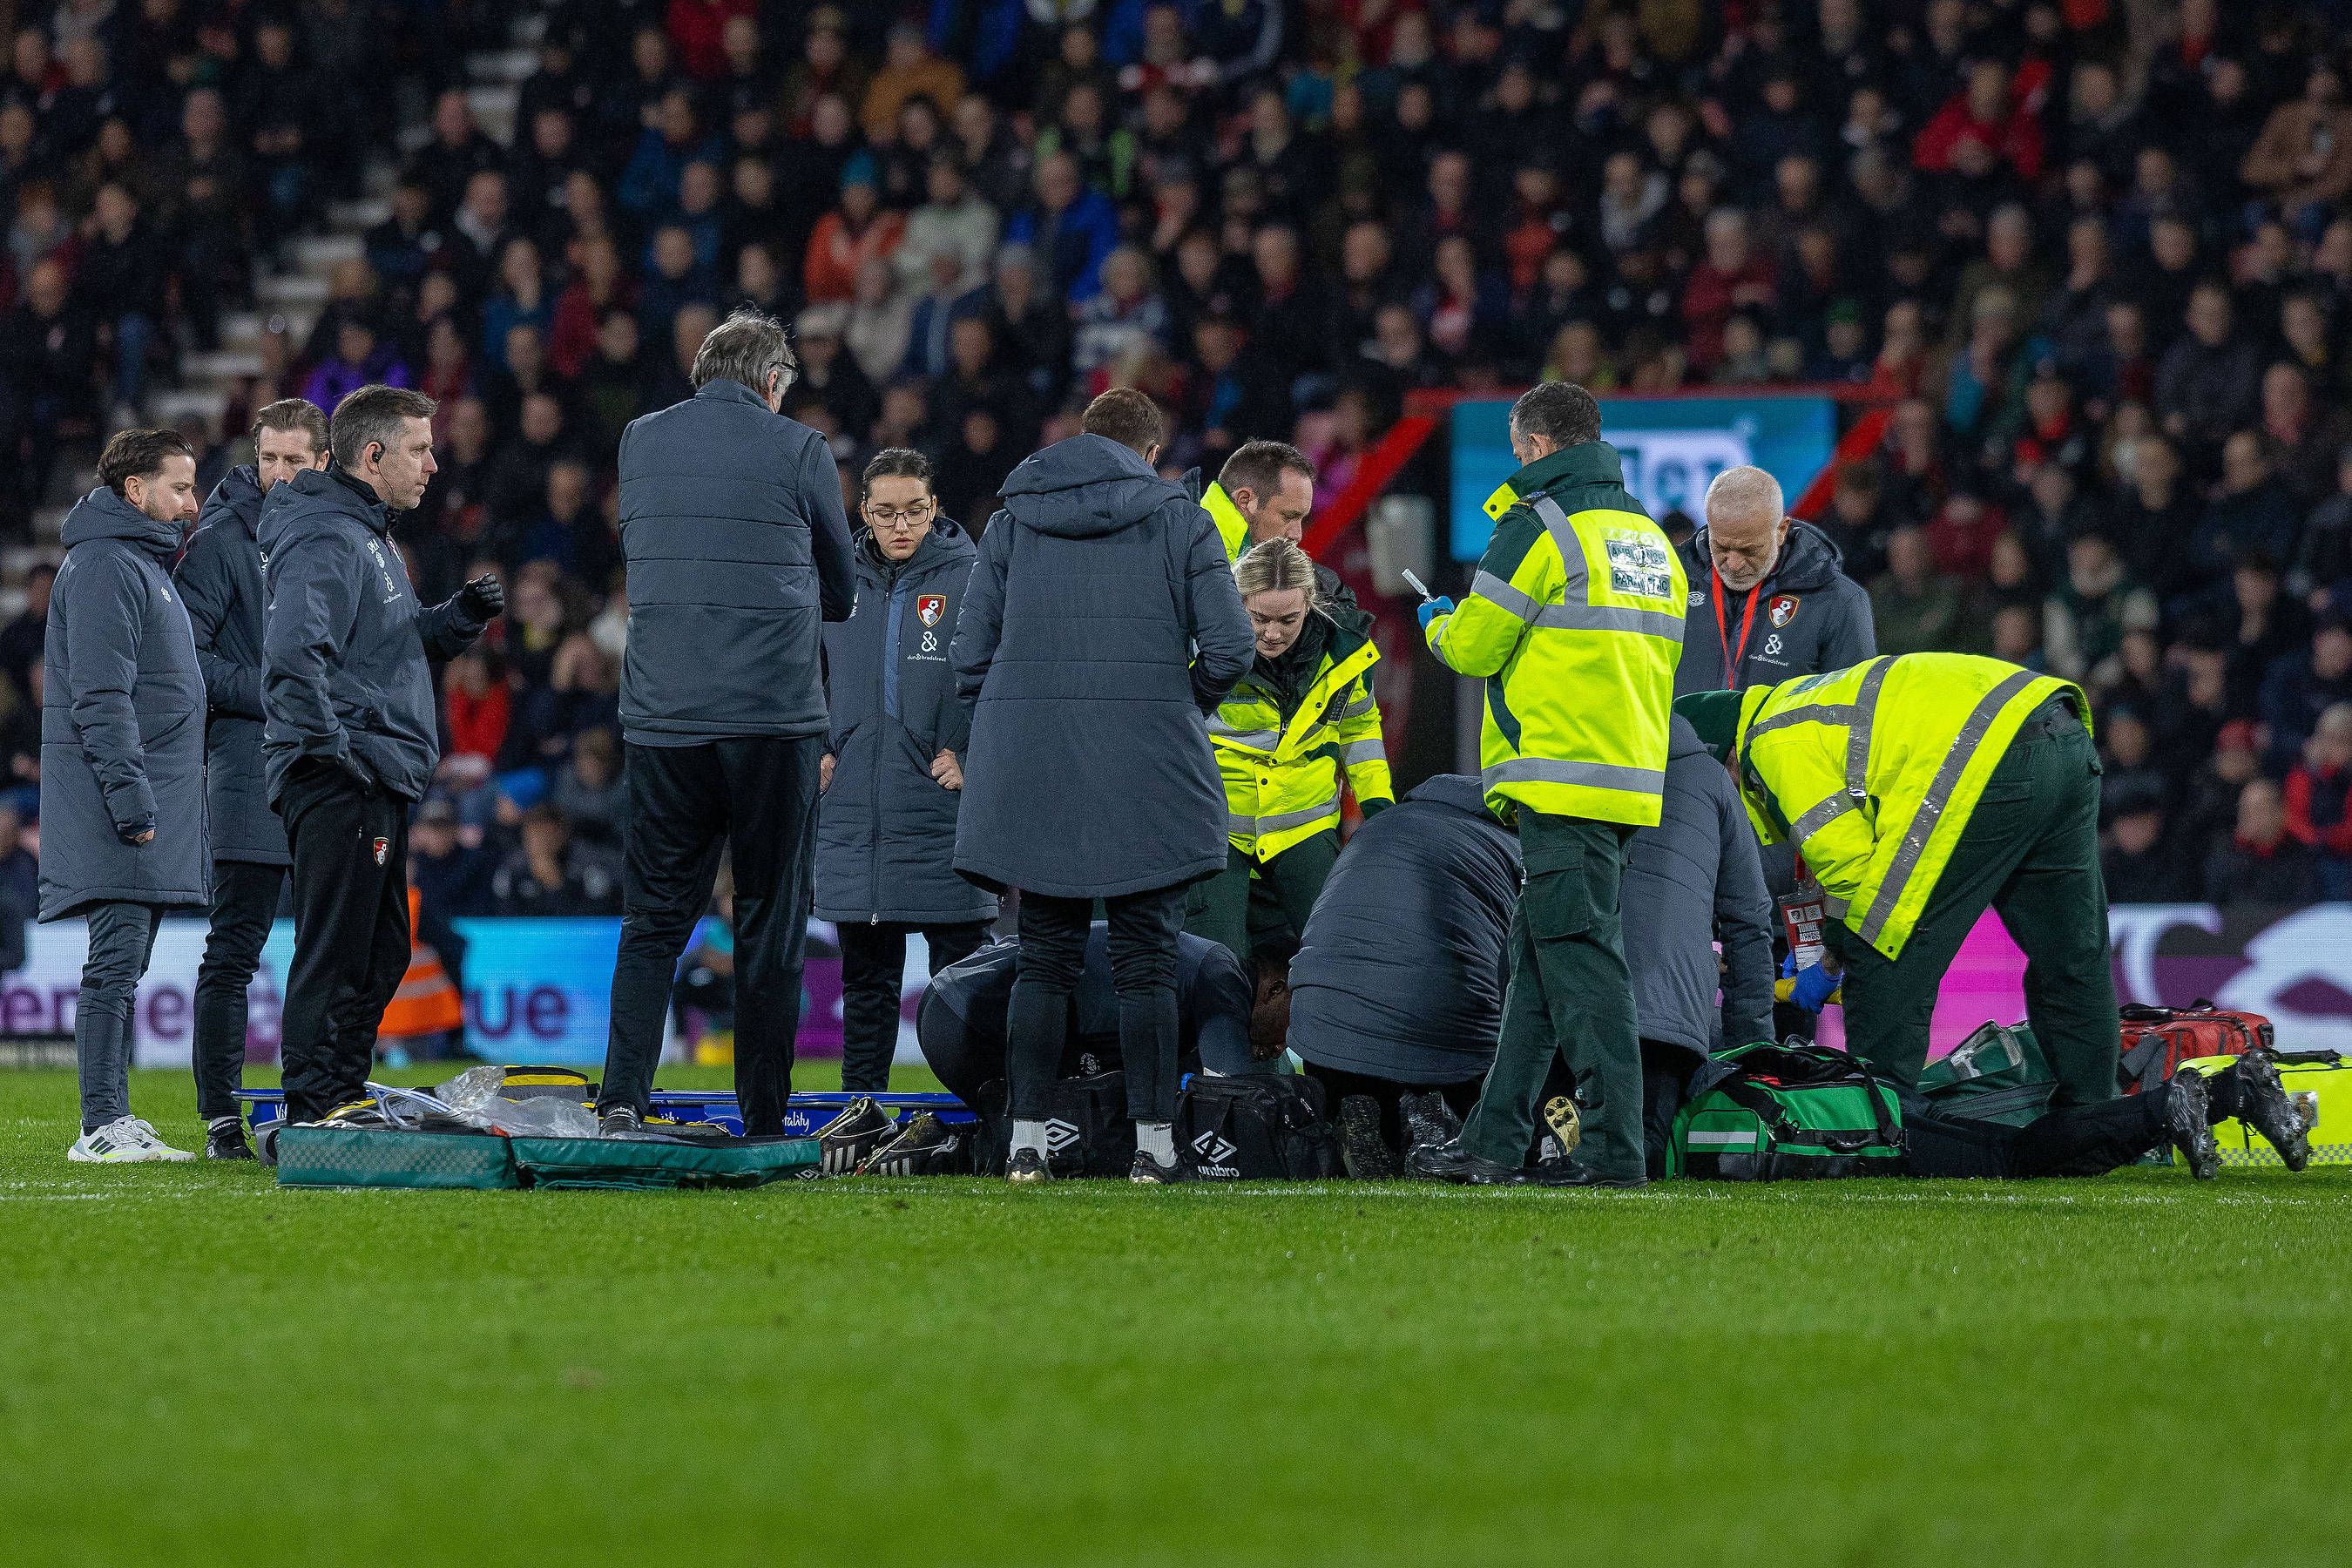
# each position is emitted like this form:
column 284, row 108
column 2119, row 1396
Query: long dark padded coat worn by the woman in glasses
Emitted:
column 886, row 829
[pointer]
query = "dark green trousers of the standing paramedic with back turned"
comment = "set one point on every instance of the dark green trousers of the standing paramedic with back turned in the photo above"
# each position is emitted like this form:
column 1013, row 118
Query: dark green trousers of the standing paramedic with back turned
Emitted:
column 1570, row 996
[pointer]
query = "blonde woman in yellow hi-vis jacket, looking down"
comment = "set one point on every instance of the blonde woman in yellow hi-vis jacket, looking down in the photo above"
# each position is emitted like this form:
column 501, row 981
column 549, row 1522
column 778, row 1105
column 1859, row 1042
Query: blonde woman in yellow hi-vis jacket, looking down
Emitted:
column 1297, row 725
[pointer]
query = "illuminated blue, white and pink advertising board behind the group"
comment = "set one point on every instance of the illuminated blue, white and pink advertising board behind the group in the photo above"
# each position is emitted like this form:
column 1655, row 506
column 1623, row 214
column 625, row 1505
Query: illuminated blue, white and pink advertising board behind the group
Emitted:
column 540, row 989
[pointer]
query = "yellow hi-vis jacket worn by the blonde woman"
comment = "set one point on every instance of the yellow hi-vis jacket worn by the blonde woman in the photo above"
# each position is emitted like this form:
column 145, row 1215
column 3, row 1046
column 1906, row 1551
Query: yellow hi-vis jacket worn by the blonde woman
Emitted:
column 1283, row 775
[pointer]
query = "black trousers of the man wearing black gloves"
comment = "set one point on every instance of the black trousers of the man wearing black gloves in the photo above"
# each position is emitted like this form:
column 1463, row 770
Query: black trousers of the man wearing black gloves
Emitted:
column 352, row 932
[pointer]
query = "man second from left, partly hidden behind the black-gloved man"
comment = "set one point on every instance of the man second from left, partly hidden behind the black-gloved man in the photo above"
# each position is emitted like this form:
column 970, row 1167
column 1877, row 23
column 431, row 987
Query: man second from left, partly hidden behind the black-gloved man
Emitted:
column 220, row 582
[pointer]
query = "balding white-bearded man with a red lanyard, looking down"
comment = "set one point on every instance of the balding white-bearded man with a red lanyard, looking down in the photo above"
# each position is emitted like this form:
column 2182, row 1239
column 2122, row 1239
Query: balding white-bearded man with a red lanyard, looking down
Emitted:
column 1770, row 598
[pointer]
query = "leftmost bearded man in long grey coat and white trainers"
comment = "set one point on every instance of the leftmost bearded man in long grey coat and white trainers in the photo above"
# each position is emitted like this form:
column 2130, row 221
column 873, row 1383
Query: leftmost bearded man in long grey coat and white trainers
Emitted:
column 121, row 760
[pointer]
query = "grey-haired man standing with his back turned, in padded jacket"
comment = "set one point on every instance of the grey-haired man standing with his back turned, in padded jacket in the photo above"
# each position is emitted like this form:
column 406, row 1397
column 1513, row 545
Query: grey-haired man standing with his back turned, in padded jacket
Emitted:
column 737, row 556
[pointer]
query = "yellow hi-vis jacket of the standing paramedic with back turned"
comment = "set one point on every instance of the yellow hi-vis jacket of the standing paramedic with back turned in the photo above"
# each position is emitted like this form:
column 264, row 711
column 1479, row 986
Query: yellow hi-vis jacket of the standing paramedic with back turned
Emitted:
column 1577, row 624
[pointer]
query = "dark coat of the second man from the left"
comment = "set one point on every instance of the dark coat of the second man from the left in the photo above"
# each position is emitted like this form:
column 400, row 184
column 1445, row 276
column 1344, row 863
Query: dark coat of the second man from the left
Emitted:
column 220, row 579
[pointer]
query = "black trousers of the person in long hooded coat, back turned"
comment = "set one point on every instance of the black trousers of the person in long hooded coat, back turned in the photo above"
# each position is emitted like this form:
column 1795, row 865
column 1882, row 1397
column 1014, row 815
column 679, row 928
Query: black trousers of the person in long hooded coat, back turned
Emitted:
column 1142, row 972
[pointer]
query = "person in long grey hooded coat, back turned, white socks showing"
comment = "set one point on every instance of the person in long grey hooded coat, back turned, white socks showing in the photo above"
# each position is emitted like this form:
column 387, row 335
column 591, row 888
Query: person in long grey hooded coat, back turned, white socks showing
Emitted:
column 1100, row 636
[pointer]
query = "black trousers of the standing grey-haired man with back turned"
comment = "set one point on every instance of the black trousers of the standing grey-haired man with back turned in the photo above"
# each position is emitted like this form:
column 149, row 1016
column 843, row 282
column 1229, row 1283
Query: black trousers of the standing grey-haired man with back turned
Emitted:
column 754, row 798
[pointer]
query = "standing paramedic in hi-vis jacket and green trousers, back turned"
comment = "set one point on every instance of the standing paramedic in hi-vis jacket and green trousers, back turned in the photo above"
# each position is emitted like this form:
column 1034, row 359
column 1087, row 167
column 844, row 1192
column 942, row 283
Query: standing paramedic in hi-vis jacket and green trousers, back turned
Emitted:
column 1575, row 622
